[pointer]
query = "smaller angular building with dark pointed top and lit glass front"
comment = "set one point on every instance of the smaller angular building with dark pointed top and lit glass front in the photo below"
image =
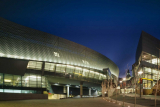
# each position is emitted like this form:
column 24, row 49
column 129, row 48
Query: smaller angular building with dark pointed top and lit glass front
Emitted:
column 147, row 60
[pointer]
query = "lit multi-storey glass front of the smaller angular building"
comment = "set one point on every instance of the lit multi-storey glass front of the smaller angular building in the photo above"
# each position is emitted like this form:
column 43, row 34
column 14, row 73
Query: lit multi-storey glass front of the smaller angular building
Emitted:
column 150, row 72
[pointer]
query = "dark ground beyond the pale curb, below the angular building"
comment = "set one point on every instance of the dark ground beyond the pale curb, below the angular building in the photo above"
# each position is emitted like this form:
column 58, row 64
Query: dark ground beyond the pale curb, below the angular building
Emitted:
column 139, row 101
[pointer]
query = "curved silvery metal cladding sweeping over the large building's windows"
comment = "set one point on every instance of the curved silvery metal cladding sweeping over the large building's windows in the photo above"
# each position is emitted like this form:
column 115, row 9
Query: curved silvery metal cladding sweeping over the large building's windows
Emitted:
column 17, row 41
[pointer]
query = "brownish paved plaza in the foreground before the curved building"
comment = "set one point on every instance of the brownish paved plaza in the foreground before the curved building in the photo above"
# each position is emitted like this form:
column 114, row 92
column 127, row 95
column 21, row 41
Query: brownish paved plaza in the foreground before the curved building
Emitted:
column 72, row 102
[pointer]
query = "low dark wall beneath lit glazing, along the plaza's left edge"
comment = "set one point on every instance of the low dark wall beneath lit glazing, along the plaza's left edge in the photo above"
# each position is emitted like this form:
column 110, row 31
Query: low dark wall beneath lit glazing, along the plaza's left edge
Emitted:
column 13, row 96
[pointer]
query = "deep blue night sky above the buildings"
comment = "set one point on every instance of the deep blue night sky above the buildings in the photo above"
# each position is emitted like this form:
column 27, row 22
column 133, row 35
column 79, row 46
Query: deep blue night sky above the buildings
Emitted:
column 110, row 27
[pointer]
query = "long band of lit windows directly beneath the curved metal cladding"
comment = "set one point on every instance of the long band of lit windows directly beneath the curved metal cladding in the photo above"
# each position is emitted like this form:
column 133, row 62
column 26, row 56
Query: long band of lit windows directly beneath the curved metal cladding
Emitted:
column 72, row 71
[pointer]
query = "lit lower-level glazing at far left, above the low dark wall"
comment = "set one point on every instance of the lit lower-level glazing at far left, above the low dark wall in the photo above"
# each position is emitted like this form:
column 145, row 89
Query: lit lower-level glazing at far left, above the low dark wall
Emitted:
column 28, row 80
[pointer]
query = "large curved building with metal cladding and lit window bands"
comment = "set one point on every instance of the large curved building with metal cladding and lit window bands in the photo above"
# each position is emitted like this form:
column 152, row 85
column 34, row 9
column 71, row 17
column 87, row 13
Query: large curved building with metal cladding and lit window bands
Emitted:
column 33, row 61
